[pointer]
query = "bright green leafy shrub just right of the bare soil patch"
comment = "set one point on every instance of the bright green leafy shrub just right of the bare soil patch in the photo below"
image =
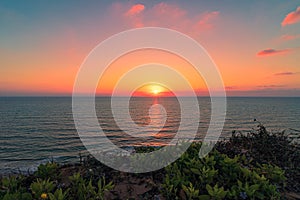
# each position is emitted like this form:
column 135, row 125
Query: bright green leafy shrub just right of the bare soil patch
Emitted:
column 217, row 176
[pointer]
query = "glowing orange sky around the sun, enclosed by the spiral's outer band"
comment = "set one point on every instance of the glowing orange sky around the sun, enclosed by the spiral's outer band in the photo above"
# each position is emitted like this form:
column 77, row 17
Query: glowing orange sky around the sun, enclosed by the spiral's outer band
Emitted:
column 125, row 65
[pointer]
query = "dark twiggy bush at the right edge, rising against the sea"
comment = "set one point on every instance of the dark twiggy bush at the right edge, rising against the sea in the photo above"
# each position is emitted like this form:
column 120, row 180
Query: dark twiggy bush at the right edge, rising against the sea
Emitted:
column 265, row 148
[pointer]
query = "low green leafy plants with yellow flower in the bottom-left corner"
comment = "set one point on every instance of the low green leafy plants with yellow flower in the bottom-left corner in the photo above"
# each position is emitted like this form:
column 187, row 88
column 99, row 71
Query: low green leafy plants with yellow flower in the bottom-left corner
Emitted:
column 11, row 188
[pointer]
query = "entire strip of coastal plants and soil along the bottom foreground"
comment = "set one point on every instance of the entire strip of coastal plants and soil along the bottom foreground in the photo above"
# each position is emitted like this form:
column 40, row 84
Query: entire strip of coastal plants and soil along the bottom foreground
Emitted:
column 257, row 165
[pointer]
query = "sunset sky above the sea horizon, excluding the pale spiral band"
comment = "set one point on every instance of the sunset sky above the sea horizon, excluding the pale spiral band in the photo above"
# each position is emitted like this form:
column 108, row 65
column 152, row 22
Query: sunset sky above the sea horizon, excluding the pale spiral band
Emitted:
column 255, row 45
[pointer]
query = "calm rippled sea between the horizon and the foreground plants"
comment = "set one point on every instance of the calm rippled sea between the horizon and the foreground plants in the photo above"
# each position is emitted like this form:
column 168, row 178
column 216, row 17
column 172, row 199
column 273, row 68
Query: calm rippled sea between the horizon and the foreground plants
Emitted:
column 36, row 129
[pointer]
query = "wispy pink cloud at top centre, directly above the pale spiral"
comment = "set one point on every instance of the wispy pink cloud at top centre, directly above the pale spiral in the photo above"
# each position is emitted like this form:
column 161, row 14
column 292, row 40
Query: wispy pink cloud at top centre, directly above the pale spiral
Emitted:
column 168, row 15
